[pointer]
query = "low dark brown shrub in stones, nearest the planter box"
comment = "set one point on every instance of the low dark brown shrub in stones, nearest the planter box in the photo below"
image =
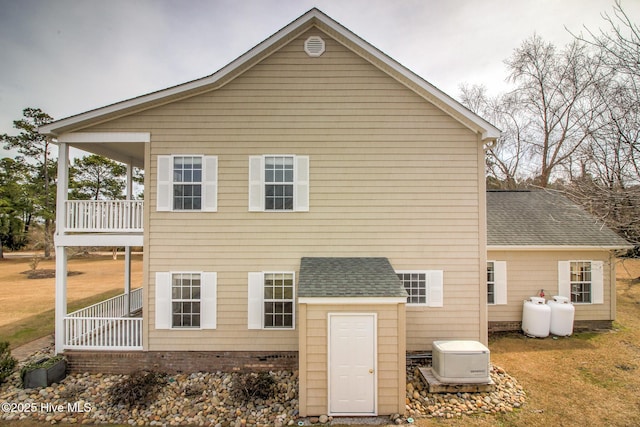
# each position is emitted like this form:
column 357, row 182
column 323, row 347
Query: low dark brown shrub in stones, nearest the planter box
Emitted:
column 136, row 390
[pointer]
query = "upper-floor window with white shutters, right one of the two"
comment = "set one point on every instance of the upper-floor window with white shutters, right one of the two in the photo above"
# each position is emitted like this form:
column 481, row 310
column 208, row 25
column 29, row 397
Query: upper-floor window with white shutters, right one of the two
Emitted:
column 278, row 183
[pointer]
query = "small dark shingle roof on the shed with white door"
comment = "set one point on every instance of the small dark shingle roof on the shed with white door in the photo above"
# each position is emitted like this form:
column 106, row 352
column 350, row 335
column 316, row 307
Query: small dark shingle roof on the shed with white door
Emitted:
column 348, row 277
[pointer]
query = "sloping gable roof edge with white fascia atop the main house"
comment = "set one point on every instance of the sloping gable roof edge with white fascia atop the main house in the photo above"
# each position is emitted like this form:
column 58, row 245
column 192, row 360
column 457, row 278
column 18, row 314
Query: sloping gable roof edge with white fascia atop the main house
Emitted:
column 313, row 18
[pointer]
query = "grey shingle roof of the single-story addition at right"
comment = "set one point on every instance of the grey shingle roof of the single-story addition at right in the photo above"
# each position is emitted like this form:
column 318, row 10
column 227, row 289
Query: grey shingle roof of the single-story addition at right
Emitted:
column 544, row 218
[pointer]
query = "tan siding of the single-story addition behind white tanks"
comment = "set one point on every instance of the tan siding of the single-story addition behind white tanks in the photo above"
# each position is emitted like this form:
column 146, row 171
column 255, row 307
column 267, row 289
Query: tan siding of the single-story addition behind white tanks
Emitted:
column 530, row 271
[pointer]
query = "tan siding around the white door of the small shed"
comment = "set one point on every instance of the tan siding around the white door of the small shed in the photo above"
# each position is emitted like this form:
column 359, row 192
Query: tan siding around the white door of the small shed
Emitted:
column 390, row 357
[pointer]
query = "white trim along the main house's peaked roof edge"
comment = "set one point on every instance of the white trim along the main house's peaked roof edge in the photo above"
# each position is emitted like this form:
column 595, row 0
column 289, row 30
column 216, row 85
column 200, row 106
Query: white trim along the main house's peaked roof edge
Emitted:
column 489, row 132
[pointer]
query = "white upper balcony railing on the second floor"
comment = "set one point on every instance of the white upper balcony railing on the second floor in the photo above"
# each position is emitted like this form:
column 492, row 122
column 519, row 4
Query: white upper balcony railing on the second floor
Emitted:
column 107, row 216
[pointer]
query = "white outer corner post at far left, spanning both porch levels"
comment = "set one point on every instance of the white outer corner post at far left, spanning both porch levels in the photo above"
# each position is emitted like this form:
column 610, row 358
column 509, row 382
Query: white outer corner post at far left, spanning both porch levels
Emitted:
column 61, row 255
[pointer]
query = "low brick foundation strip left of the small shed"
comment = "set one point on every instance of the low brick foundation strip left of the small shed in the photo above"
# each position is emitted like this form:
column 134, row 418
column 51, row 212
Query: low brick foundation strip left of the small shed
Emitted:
column 171, row 362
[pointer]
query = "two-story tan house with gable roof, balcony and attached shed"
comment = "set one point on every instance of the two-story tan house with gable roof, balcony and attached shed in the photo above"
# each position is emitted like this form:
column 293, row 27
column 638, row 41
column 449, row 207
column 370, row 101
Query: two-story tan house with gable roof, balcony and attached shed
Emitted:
column 313, row 204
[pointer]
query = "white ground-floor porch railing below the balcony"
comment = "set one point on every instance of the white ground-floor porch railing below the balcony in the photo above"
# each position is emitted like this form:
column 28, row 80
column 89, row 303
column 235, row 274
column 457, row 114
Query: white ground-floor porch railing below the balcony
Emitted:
column 103, row 326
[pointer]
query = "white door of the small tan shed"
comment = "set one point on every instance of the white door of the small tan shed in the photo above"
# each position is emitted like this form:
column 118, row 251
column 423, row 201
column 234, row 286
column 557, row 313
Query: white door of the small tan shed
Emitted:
column 352, row 364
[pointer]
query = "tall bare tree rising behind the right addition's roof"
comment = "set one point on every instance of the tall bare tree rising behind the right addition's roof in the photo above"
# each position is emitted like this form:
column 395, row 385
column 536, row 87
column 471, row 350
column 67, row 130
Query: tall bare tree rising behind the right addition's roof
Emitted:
column 554, row 95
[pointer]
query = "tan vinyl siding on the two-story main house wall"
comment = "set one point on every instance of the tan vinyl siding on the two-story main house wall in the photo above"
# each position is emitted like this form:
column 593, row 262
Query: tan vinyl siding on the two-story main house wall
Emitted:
column 391, row 175
